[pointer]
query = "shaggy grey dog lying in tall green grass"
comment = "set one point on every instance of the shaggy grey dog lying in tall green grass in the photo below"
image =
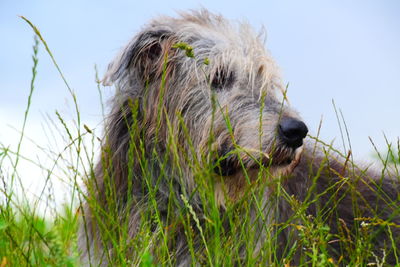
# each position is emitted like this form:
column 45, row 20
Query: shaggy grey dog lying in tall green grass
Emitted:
column 200, row 94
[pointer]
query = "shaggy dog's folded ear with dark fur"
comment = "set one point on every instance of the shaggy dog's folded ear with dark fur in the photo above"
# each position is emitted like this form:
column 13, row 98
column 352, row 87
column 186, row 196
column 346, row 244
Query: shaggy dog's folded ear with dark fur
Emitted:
column 142, row 60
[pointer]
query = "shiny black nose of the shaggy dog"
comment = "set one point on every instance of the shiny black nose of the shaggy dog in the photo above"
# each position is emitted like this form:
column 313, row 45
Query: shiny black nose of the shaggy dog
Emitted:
column 292, row 132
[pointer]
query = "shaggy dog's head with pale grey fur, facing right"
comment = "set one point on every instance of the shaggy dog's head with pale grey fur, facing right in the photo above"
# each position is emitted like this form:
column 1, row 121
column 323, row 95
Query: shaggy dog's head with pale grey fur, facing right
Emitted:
column 218, row 79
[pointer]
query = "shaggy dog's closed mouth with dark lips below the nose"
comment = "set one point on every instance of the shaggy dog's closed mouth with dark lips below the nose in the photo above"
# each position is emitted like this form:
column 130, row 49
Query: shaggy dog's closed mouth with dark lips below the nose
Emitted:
column 282, row 161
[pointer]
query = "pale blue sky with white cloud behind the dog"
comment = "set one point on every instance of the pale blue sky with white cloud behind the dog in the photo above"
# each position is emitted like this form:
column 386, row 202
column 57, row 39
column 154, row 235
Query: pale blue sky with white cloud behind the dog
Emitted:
column 342, row 51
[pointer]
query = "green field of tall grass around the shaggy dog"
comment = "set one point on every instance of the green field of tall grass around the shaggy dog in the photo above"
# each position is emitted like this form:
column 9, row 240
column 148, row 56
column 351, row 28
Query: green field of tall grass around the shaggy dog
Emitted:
column 29, row 238
